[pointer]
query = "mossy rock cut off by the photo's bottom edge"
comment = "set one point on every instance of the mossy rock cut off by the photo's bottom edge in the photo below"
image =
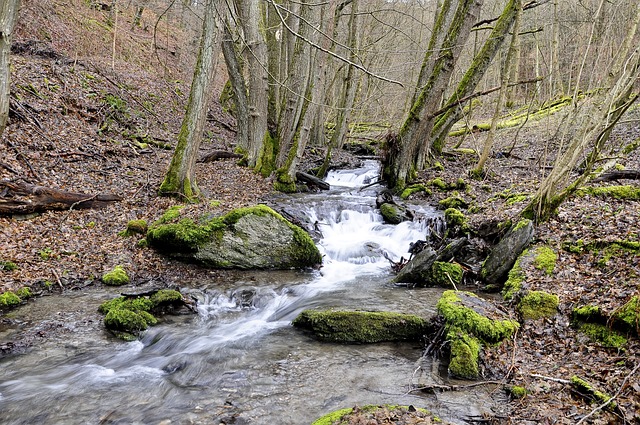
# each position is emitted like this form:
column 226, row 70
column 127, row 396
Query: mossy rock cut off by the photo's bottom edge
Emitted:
column 393, row 413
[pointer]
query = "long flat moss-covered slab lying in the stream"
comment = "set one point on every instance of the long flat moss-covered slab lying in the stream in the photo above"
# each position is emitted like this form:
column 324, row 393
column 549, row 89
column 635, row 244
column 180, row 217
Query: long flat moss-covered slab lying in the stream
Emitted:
column 362, row 326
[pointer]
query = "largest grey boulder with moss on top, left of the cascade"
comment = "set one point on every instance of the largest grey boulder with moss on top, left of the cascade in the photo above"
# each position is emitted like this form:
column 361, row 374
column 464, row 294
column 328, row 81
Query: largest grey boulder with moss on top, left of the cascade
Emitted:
column 246, row 238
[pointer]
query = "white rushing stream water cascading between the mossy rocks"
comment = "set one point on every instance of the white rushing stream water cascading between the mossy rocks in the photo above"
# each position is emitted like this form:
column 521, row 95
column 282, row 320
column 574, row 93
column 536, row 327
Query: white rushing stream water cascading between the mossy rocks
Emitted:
column 239, row 360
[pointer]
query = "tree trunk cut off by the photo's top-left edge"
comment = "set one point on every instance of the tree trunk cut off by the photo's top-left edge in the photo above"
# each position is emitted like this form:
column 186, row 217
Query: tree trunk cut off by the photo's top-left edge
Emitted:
column 8, row 16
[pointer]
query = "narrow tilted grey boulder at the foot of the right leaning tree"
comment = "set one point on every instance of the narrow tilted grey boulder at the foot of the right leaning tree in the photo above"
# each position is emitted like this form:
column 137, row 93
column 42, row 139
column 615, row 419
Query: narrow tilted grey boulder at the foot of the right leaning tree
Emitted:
column 504, row 255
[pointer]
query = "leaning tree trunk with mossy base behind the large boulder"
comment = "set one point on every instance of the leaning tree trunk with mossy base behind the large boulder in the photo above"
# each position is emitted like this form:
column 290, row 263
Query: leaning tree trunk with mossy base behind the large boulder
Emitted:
column 180, row 178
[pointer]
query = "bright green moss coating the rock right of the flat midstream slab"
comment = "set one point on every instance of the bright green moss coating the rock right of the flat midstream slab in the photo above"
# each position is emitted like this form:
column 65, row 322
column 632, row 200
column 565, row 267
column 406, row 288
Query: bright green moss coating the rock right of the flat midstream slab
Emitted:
column 458, row 316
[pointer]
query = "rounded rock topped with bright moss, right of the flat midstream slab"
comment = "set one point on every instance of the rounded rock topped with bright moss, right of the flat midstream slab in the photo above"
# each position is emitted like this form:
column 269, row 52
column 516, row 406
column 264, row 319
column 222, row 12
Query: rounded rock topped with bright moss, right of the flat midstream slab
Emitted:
column 468, row 313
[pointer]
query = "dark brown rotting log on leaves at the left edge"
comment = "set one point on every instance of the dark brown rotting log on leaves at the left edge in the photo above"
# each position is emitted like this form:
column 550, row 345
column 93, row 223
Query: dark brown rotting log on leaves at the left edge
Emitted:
column 25, row 198
